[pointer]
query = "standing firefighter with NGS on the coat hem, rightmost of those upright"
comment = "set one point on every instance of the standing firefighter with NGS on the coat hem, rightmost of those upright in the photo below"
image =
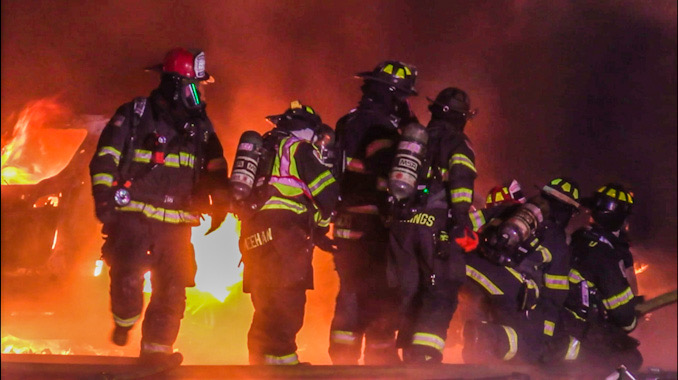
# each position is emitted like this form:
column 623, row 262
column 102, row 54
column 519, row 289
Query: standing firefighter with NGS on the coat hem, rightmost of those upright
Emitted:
column 432, row 230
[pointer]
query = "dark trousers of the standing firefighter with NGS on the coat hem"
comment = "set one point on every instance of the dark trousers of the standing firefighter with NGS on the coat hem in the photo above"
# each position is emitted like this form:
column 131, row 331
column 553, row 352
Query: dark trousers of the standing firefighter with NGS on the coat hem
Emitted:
column 428, row 269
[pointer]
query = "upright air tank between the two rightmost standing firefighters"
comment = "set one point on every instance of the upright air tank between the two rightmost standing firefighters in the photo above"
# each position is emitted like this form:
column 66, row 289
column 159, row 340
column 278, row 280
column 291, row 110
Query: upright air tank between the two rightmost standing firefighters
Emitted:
column 402, row 180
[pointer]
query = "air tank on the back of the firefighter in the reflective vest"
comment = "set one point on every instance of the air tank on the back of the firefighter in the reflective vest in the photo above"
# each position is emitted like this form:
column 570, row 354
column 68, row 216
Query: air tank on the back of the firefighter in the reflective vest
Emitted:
column 245, row 165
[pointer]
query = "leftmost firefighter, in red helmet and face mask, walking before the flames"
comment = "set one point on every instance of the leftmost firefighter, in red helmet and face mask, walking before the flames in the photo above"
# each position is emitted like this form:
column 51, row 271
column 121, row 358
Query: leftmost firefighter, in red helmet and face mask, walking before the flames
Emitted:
column 153, row 159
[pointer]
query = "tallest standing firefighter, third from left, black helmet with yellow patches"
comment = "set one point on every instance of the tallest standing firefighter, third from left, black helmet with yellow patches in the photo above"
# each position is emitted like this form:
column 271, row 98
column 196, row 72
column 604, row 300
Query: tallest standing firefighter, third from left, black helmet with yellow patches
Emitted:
column 367, row 138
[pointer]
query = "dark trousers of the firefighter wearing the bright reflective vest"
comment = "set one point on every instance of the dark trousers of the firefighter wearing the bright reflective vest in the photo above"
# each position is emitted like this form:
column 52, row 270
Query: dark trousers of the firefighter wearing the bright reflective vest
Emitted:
column 277, row 256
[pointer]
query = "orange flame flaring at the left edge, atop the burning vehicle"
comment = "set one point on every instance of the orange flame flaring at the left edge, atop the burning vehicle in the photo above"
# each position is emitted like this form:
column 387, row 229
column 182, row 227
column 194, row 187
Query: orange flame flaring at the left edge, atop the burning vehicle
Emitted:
column 37, row 151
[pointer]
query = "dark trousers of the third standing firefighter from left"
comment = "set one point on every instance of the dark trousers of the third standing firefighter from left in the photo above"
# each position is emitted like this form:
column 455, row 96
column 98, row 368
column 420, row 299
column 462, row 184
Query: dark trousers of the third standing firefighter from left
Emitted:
column 366, row 307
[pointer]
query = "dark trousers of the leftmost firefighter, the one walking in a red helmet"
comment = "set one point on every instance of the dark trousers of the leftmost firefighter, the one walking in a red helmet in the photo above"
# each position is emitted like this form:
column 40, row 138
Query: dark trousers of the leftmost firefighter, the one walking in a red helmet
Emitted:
column 135, row 245
